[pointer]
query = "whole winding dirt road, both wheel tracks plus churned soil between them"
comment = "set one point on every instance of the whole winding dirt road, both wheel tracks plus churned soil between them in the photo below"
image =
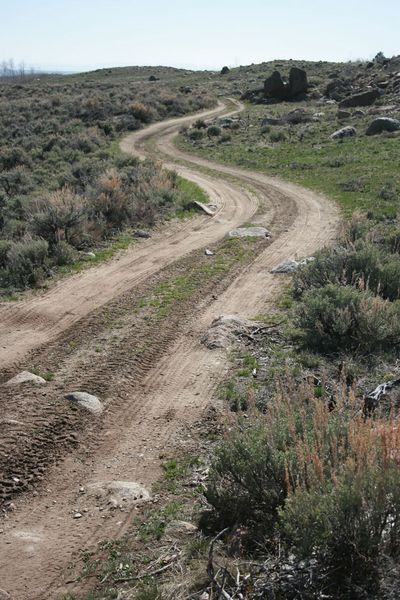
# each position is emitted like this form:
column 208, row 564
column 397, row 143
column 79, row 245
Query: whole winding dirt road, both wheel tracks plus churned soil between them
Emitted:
column 155, row 379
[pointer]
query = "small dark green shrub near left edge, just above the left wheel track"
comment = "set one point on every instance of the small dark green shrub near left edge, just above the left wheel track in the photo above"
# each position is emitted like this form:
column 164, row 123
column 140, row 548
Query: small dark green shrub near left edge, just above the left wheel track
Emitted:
column 27, row 263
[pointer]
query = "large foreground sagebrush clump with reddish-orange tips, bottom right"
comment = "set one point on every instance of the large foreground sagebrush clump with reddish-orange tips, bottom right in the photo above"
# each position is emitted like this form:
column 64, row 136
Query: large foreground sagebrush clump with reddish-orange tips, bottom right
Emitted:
column 320, row 483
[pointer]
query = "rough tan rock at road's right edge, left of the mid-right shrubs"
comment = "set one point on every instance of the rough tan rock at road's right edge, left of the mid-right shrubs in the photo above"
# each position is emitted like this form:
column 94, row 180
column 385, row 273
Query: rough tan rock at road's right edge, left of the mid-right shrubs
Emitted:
column 225, row 330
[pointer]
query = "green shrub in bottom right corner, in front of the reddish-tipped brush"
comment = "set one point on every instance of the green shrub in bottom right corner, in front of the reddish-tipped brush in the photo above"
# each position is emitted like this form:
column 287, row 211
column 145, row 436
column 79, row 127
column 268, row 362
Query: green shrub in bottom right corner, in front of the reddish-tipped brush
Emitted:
column 346, row 525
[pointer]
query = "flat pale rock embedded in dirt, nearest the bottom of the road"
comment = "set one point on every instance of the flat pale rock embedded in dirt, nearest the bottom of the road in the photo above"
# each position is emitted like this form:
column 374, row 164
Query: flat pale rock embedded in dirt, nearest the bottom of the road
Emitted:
column 119, row 494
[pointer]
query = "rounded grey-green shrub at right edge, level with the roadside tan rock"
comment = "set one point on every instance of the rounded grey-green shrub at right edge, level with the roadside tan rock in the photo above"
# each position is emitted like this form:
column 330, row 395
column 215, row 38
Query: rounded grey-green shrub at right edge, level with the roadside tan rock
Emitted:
column 336, row 318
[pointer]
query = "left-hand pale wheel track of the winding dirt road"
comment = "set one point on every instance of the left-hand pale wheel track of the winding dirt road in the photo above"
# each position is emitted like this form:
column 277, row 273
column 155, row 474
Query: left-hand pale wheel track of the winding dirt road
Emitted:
column 40, row 318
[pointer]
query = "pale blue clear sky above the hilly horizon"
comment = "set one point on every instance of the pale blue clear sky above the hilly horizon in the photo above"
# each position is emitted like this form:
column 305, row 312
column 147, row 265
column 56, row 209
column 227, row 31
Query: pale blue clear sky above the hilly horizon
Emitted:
column 88, row 34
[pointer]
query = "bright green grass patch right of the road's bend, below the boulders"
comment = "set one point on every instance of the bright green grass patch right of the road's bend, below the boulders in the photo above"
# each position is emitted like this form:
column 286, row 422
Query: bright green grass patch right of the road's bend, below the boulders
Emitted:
column 360, row 173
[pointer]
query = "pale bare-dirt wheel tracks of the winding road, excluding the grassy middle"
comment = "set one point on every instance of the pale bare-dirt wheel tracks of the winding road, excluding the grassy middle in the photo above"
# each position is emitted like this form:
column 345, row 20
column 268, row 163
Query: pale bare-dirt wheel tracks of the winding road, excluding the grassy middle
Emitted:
column 146, row 417
